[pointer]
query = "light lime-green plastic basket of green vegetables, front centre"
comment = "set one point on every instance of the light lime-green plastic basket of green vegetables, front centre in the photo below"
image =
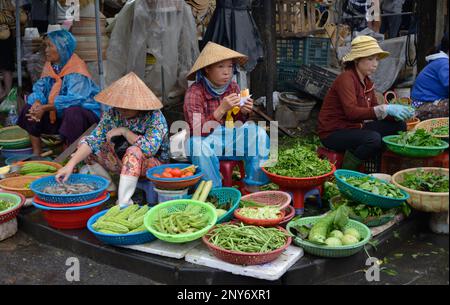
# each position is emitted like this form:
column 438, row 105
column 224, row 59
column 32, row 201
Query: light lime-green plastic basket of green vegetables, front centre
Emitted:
column 174, row 206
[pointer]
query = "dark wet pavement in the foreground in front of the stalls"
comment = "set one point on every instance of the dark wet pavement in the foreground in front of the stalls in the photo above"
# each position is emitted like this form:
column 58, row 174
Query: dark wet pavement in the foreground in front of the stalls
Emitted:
column 422, row 259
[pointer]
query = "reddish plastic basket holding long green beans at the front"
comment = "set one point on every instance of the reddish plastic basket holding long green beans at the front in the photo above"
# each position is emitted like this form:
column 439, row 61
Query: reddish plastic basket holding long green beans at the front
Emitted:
column 242, row 258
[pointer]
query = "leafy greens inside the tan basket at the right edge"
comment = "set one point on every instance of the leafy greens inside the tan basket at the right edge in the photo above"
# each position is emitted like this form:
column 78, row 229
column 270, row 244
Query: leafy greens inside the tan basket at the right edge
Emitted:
column 420, row 180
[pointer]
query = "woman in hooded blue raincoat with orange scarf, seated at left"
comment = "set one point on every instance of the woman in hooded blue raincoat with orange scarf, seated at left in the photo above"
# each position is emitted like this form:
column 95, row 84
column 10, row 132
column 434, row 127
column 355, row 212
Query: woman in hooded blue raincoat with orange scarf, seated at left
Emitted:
column 62, row 101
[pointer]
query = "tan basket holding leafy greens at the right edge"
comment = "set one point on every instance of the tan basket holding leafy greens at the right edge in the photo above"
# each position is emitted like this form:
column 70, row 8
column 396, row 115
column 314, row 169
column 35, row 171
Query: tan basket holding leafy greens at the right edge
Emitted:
column 424, row 201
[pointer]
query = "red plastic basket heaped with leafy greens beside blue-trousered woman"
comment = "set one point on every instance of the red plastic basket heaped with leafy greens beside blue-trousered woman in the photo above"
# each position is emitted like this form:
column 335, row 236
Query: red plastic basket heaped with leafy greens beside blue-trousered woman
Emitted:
column 303, row 183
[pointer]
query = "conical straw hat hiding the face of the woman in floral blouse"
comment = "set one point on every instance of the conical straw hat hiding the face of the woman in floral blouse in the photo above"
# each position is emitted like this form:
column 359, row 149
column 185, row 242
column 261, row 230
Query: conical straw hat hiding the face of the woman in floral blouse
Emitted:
column 129, row 92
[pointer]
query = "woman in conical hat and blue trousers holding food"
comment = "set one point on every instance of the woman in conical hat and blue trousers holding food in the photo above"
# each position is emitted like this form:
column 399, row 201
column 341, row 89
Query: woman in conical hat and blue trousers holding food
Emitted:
column 217, row 115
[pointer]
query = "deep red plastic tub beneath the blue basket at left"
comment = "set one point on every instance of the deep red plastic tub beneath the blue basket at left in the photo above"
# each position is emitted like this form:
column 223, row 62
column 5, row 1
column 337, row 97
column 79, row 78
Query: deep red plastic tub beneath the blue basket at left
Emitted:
column 66, row 220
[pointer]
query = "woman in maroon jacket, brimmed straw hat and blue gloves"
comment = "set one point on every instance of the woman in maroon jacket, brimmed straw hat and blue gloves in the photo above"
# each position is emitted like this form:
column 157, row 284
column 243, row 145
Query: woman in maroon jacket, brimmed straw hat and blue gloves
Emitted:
column 351, row 120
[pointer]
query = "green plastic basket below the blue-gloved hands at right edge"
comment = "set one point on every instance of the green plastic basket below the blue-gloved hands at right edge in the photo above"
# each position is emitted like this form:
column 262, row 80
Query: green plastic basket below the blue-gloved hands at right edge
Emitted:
column 414, row 151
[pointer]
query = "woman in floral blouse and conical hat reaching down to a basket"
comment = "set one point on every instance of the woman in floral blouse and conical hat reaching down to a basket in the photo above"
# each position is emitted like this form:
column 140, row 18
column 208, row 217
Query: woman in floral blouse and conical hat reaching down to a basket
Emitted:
column 135, row 117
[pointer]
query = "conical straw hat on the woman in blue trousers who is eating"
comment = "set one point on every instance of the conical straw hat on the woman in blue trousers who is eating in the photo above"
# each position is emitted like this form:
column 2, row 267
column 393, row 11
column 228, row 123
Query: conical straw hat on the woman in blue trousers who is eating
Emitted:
column 213, row 53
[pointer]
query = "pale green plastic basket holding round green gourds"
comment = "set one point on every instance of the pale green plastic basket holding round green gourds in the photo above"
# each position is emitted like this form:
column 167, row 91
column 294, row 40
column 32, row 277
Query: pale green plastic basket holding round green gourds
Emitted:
column 327, row 251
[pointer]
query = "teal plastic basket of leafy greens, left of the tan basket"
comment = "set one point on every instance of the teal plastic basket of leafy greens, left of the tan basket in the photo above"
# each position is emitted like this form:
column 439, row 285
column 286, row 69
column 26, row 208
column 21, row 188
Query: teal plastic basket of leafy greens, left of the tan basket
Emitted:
column 363, row 196
